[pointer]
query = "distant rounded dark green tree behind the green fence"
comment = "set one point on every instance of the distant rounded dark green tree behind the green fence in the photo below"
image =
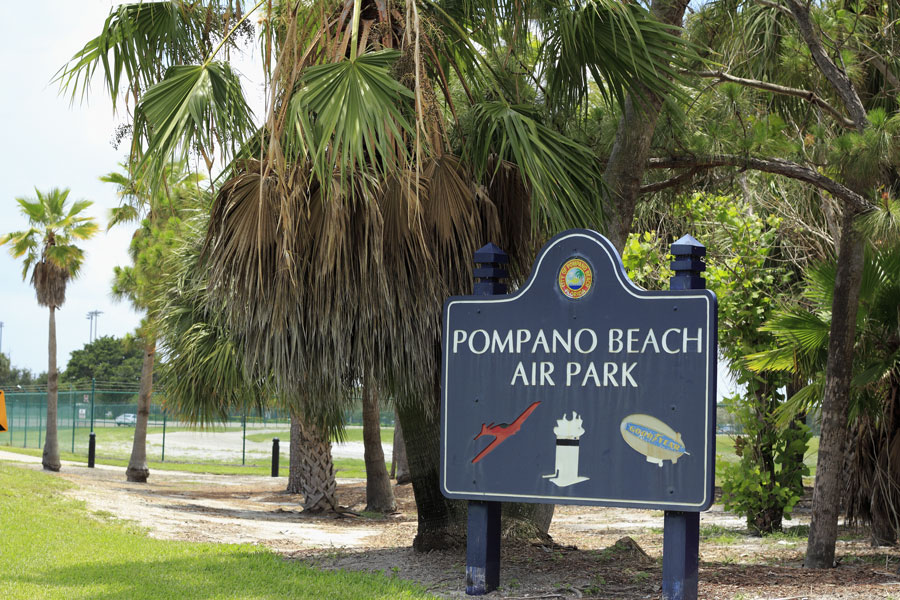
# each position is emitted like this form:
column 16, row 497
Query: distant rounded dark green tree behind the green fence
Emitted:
column 106, row 359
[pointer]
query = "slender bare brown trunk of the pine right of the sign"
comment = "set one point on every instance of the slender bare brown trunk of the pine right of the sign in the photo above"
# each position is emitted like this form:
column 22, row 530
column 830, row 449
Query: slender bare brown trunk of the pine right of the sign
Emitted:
column 838, row 372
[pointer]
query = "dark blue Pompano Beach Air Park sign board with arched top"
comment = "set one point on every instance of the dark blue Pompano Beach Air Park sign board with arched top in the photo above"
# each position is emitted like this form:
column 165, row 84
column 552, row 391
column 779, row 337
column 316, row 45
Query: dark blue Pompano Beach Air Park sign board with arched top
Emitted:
column 580, row 388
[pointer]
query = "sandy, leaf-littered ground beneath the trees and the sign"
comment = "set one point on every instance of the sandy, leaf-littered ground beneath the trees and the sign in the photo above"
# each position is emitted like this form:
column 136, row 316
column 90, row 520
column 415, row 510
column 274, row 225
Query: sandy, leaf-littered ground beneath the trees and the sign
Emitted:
column 584, row 560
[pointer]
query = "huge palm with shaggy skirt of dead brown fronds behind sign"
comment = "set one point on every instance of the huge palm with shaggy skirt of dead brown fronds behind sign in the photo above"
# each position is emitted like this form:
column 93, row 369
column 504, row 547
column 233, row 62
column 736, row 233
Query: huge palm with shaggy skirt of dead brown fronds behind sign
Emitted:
column 397, row 140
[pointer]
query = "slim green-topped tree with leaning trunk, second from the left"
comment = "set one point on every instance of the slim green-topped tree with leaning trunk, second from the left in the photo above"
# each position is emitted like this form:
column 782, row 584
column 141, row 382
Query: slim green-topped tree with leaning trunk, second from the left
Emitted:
column 160, row 212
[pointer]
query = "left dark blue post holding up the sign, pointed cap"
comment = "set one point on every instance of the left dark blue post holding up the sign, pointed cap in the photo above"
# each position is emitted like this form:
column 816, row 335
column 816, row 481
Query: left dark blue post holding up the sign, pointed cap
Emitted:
column 483, row 525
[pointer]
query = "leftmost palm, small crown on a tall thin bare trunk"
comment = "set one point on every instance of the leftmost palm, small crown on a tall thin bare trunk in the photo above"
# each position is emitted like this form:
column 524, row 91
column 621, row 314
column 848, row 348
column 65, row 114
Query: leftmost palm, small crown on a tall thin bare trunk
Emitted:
column 51, row 255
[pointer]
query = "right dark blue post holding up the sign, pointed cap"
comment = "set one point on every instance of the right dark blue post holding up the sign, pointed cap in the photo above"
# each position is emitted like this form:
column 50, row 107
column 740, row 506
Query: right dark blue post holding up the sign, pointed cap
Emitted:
column 681, row 530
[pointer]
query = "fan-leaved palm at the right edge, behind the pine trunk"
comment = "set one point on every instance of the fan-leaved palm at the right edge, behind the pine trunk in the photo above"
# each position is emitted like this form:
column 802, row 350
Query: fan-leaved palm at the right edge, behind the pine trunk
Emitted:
column 871, row 486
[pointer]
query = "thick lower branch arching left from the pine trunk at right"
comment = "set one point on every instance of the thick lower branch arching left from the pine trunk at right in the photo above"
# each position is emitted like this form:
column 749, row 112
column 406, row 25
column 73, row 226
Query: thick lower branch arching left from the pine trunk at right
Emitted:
column 777, row 166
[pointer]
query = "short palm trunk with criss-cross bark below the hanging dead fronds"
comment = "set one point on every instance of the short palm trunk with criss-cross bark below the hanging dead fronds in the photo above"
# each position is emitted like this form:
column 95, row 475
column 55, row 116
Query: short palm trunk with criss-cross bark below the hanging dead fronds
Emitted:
column 311, row 469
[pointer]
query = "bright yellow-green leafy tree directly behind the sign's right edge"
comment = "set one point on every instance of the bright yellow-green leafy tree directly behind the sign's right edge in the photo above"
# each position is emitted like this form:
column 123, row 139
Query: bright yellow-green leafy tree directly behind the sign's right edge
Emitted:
column 744, row 271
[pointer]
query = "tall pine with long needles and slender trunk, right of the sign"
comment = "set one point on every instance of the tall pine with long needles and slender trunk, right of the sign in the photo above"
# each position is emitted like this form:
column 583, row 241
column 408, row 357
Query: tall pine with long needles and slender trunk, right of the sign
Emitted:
column 801, row 90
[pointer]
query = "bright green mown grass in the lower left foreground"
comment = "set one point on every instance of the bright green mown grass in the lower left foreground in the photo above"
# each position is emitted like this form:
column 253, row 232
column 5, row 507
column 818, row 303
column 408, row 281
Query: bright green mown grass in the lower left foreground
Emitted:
column 52, row 547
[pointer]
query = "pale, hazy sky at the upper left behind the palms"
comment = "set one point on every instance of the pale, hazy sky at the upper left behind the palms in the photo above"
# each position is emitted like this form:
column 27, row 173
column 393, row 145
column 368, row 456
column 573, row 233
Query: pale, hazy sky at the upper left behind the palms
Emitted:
column 47, row 143
